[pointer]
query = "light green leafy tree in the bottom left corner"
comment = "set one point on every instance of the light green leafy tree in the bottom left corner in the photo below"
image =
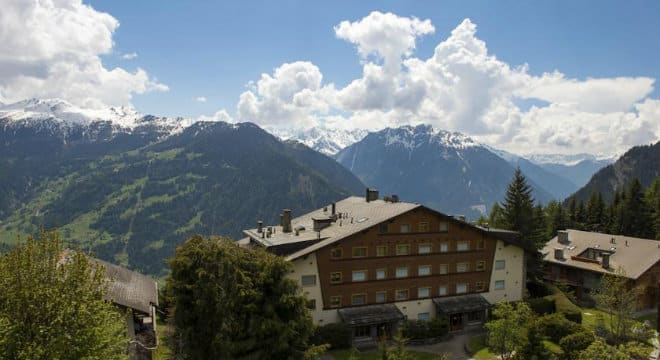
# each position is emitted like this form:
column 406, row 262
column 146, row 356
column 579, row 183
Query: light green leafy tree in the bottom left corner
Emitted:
column 56, row 309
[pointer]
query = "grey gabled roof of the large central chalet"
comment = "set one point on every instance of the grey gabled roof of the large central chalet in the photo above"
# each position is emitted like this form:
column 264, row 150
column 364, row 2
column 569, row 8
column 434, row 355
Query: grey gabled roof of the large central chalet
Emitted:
column 355, row 215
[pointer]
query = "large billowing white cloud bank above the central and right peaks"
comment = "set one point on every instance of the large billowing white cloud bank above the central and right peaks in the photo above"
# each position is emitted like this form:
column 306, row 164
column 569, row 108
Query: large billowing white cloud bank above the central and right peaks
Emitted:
column 461, row 87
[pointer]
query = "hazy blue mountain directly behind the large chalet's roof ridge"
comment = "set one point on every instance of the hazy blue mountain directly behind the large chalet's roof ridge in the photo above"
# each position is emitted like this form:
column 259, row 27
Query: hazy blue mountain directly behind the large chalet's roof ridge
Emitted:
column 448, row 171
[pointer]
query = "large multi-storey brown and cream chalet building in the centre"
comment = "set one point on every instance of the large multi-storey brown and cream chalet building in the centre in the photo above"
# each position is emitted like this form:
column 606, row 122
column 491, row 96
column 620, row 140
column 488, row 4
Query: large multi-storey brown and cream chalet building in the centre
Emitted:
column 372, row 263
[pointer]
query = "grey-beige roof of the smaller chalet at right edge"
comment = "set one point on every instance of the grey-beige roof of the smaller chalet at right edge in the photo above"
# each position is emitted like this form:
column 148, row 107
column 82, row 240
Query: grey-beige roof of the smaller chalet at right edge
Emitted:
column 634, row 255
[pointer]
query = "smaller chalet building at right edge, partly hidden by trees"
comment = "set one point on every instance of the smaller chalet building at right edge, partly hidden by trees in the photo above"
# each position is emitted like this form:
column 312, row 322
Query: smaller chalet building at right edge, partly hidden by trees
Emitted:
column 580, row 258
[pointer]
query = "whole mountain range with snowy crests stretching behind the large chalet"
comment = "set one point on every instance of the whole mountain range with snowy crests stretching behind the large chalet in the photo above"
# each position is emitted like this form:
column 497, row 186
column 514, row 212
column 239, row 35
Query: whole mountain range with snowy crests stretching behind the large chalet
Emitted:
column 130, row 187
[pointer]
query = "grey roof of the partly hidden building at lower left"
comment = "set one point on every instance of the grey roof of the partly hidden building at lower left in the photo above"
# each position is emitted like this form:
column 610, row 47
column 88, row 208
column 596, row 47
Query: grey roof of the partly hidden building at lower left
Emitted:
column 130, row 288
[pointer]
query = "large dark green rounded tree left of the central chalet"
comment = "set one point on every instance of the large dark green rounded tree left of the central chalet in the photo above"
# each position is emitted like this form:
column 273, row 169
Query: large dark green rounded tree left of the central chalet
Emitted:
column 231, row 302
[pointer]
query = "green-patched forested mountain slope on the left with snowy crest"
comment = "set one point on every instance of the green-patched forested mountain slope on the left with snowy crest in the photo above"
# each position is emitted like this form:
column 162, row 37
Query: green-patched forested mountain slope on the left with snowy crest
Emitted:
column 132, row 195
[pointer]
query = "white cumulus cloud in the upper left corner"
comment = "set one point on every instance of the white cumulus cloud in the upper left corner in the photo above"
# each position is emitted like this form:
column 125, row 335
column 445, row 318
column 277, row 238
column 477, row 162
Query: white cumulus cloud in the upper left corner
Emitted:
column 53, row 48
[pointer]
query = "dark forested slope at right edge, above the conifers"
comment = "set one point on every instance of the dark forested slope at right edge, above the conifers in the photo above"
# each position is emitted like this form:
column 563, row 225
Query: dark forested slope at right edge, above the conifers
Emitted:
column 642, row 162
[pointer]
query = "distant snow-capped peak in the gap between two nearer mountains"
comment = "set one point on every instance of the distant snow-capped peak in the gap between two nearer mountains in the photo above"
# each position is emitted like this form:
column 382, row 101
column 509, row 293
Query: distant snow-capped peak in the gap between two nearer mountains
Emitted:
column 322, row 139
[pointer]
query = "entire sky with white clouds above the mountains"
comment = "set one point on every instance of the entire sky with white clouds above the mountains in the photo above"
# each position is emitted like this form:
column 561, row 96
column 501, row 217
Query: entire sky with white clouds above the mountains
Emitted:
column 528, row 77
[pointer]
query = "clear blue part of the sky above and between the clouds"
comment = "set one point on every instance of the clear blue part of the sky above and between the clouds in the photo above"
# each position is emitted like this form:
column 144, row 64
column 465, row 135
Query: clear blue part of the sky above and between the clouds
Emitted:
column 213, row 49
